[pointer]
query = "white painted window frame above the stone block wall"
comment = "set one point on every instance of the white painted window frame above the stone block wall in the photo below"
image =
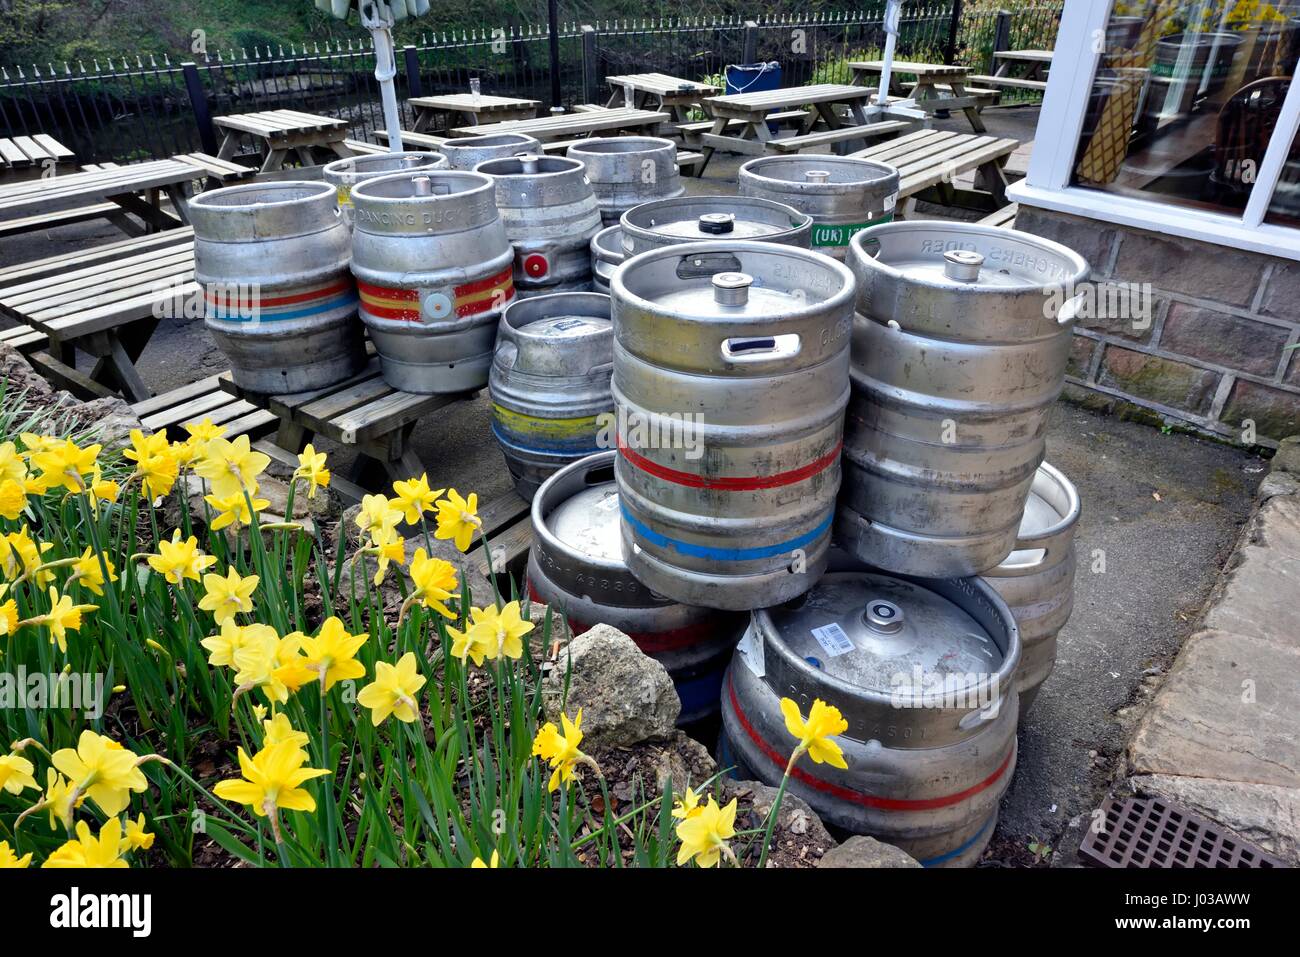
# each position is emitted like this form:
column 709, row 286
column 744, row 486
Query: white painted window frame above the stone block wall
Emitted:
column 1058, row 140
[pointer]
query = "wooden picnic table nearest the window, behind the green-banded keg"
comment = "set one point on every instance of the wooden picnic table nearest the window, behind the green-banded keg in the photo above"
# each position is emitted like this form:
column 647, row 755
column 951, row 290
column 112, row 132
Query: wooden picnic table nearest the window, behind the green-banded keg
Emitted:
column 929, row 163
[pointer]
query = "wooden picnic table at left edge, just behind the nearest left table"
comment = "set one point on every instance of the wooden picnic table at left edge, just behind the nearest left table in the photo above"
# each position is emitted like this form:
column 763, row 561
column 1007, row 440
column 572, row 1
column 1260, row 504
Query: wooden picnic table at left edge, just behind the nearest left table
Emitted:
column 111, row 192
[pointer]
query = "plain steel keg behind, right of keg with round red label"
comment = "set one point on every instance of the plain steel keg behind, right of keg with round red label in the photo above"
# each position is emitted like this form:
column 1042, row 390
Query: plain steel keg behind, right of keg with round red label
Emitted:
column 626, row 172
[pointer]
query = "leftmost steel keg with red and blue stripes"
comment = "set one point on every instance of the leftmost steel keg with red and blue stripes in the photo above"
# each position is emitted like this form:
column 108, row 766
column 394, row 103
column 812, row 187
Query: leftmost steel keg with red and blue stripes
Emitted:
column 280, row 302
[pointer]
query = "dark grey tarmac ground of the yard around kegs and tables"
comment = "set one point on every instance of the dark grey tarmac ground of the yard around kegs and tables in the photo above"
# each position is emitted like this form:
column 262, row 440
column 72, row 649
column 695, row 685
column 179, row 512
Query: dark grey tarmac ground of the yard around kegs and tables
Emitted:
column 1164, row 509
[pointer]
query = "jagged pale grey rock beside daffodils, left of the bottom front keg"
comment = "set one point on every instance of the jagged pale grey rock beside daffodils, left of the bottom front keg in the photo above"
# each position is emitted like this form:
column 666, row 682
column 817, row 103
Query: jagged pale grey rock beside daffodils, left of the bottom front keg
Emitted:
column 626, row 696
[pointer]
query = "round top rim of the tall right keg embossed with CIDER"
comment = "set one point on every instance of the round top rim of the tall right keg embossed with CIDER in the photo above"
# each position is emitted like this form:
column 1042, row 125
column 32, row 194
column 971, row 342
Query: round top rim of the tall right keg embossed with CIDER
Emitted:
column 999, row 275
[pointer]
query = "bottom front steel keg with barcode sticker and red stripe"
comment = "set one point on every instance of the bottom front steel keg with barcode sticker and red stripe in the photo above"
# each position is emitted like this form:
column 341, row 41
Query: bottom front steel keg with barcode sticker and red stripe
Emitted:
column 922, row 672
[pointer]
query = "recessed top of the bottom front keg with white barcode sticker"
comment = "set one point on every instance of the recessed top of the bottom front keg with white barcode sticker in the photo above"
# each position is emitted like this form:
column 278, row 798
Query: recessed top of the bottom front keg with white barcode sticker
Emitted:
column 811, row 627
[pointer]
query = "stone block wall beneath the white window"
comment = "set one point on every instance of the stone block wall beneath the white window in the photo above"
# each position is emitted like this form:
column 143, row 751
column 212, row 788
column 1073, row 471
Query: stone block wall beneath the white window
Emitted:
column 1215, row 353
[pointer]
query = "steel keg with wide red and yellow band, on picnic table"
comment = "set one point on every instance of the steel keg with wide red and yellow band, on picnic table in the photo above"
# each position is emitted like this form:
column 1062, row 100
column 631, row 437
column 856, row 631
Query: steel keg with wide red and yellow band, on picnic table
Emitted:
column 434, row 269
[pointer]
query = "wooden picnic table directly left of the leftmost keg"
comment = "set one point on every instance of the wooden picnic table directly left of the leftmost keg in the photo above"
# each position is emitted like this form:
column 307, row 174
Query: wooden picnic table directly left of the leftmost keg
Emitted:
column 105, row 301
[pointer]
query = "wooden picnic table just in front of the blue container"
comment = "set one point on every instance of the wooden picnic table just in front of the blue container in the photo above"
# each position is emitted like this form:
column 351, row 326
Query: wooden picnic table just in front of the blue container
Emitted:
column 822, row 125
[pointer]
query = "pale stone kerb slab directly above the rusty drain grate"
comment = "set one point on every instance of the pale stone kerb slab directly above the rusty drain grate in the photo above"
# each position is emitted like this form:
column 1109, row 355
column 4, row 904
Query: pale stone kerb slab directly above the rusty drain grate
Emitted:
column 1266, row 815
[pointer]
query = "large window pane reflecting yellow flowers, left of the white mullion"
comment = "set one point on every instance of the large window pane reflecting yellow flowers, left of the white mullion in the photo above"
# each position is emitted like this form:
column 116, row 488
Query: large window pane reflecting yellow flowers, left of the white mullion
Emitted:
column 1186, row 98
